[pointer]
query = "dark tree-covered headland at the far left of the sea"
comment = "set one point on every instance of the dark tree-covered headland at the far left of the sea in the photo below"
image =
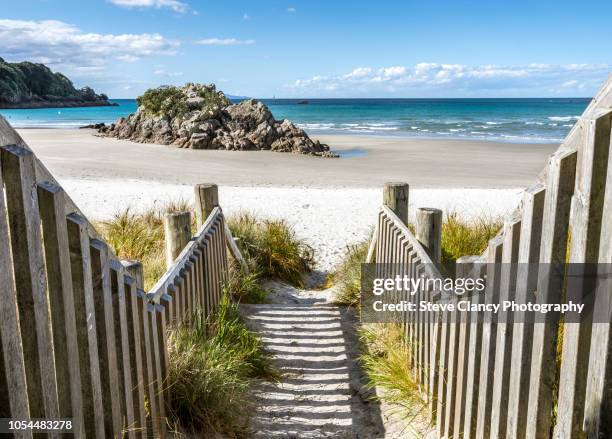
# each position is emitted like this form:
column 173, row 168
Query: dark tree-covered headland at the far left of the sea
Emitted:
column 31, row 85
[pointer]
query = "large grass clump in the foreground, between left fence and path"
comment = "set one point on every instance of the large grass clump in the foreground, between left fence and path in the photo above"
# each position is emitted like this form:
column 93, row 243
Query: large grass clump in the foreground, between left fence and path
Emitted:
column 212, row 364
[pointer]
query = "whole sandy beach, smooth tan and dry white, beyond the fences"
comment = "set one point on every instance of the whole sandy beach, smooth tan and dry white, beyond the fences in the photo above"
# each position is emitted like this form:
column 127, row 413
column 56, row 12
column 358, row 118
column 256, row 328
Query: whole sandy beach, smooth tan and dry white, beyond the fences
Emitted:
column 330, row 202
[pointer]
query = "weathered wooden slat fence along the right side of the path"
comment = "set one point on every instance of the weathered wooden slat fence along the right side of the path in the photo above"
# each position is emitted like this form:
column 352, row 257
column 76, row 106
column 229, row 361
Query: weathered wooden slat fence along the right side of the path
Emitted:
column 495, row 378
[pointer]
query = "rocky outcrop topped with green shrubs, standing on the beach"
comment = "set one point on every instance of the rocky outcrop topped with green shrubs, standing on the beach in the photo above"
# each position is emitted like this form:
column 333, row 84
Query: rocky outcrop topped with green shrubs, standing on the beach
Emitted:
column 199, row 116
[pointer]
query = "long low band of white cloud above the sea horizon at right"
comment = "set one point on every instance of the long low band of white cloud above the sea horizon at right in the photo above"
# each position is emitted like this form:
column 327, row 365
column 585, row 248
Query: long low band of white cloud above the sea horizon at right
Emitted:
column 454, row 79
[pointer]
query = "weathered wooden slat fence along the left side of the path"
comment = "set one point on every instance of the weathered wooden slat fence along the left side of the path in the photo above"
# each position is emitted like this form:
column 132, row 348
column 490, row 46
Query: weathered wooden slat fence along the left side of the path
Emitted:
column 80, row 337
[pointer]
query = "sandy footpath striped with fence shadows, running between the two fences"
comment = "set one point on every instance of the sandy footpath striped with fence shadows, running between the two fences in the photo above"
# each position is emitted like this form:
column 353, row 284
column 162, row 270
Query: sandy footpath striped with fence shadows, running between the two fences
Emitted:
column 321, row 391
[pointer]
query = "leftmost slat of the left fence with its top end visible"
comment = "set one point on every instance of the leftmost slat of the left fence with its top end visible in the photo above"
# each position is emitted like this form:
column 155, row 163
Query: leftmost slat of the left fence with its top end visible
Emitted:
column 30, row 280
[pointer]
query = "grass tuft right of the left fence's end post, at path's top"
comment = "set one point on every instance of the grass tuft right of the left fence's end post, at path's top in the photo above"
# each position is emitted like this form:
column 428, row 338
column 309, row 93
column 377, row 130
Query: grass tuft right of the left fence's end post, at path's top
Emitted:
column 272, row 248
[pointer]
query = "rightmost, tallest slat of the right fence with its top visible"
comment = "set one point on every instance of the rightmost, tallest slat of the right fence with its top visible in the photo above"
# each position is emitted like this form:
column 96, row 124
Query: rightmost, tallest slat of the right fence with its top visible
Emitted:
column 585, row 224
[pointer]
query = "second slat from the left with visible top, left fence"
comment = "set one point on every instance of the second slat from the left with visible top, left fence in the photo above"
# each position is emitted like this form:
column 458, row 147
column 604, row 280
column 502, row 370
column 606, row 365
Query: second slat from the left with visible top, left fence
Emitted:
column 52, row 204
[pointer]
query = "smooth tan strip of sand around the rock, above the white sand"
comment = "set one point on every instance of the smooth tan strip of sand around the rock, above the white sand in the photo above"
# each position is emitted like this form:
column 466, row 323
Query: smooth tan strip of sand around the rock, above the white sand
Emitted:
column 422, row 163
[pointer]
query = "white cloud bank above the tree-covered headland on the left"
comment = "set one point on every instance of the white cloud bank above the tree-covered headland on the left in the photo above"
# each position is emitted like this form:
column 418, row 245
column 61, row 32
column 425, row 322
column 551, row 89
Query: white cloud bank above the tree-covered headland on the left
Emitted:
column 56, row 42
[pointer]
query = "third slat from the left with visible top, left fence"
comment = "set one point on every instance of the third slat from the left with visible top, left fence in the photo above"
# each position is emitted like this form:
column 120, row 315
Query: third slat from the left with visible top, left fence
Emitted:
column 89, row 364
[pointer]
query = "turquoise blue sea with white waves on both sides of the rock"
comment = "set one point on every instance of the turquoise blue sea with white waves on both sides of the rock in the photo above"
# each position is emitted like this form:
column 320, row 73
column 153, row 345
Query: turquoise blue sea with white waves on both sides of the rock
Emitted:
column 546, row 120
